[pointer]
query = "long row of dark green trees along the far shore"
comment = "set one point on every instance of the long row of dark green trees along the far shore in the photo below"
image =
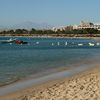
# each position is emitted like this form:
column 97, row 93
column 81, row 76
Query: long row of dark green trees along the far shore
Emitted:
column 68, row 32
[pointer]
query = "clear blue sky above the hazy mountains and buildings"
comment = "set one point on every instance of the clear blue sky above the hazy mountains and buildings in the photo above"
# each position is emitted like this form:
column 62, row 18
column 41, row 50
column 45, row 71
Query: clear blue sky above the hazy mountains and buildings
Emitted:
column 53, row 12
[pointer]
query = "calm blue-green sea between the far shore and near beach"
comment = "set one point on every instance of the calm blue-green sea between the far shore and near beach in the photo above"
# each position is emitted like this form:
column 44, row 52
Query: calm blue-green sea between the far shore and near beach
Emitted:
column 43, row 55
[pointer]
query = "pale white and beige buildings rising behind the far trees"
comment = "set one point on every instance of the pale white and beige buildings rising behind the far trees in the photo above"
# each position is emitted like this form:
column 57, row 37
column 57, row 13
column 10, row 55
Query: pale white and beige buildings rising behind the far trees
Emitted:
column 82, row 25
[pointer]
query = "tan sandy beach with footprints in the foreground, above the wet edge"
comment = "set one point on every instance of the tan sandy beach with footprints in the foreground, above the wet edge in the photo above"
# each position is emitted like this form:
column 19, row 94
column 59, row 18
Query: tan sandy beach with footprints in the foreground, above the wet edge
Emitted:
column 84, row 86
